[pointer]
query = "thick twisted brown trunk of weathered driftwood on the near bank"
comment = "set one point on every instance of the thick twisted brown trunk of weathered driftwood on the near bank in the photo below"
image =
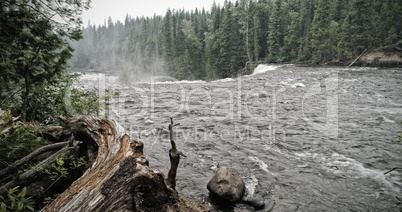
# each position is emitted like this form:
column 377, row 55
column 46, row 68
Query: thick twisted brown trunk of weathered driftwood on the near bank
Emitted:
column 119, row 178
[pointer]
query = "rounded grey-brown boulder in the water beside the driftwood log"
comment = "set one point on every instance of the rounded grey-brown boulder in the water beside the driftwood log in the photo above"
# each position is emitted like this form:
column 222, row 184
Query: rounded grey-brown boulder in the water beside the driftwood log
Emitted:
column 227, row 184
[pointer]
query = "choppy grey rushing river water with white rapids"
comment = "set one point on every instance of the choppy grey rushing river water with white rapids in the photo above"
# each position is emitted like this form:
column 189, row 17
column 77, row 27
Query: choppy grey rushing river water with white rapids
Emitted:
column 308, row 139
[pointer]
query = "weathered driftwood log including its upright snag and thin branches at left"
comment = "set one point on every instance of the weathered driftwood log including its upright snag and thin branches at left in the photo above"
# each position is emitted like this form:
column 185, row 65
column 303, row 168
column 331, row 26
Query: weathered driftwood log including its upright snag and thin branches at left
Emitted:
column 118, row 176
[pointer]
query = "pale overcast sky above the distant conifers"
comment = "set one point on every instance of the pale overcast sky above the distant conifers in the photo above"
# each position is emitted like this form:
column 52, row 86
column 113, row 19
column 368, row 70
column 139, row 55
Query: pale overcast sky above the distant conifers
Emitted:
column 117, row 9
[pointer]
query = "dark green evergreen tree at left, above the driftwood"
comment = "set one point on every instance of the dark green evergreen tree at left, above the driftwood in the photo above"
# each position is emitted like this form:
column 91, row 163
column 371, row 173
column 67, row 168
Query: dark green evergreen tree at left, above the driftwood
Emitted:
column 34, row 51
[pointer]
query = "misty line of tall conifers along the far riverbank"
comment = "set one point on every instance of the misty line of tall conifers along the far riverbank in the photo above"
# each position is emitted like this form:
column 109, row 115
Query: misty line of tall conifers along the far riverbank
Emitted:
column 218, row 43
